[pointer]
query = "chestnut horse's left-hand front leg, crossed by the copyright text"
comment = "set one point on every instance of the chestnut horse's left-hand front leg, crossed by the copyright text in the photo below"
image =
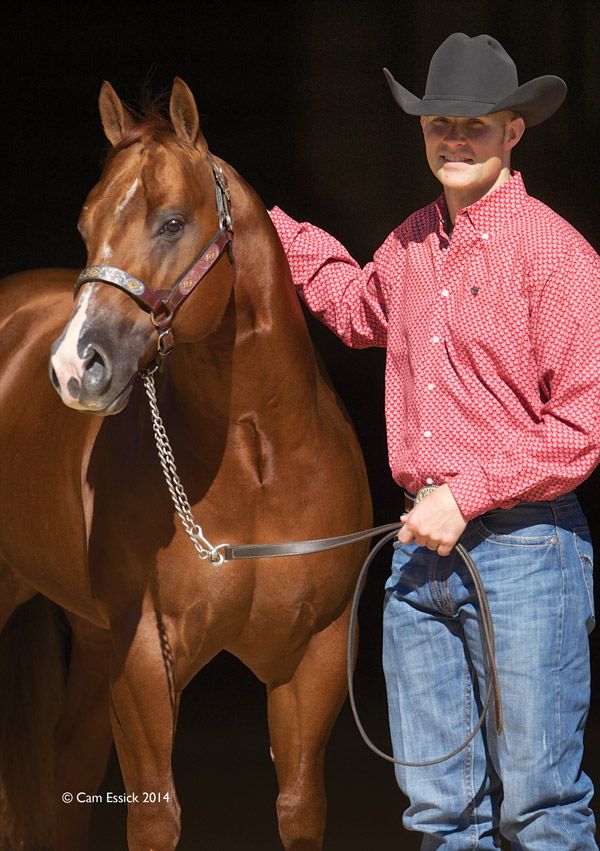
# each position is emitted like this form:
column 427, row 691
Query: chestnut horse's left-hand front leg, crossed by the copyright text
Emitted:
column 144, row 702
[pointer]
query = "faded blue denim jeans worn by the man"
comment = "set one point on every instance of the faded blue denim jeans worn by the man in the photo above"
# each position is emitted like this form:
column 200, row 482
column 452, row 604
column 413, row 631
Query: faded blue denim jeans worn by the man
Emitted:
column 536, row 564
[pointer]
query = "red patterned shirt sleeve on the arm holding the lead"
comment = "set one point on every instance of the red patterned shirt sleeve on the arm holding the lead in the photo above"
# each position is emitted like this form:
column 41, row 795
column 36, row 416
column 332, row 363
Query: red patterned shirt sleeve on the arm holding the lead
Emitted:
column 563, row 447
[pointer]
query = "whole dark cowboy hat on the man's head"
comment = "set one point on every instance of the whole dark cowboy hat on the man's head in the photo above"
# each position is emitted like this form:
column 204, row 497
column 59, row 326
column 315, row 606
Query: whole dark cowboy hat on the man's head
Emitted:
column 476, row 76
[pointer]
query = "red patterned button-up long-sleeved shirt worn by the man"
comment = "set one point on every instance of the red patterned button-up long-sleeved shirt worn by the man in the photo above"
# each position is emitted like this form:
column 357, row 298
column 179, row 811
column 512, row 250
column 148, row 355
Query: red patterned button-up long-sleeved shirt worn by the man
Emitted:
column 492, row 337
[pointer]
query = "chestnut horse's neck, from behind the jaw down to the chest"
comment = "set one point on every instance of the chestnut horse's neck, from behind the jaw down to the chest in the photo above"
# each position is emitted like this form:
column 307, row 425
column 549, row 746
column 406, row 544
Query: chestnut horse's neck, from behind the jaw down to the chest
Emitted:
column 261, row 358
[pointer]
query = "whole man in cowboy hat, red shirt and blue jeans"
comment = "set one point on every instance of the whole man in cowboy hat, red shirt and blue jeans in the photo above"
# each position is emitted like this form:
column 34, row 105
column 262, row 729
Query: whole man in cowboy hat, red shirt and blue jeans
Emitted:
column 489, row 306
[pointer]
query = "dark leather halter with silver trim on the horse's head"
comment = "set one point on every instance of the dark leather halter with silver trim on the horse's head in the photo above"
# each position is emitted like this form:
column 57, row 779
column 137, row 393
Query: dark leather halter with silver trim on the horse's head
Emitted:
column 162, row 305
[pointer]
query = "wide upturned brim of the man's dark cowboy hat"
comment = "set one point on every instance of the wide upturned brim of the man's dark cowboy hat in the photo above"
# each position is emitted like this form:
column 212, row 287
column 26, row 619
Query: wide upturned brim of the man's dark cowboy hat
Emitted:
column 534, row 101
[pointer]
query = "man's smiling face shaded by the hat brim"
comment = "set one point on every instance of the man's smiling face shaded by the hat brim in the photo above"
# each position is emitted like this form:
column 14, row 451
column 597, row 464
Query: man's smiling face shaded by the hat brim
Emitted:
column 467, row 155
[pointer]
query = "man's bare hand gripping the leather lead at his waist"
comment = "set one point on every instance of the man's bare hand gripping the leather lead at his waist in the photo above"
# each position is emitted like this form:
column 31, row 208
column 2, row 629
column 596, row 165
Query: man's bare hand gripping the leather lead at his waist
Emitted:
column 436, row 522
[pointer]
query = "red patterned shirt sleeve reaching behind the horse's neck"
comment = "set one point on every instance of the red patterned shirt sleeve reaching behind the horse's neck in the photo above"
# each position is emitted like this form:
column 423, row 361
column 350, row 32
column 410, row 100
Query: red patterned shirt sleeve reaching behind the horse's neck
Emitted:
column 348, row 299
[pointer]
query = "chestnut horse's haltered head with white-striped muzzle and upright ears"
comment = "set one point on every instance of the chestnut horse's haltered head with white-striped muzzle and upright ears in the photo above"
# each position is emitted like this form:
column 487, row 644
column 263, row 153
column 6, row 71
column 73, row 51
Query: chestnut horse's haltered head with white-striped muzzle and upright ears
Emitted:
column 144, row 224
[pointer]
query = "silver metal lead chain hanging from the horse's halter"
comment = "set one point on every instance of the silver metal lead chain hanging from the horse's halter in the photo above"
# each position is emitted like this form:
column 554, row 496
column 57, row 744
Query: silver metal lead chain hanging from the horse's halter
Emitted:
column 203, row 547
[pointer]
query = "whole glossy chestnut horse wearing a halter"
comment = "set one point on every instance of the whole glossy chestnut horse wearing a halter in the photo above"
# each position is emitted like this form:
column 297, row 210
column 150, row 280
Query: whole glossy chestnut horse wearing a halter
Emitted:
column 265, row 451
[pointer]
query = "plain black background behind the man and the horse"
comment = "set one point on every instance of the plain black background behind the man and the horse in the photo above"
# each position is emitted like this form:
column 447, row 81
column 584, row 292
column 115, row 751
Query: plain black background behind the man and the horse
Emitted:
column 293, row 96
